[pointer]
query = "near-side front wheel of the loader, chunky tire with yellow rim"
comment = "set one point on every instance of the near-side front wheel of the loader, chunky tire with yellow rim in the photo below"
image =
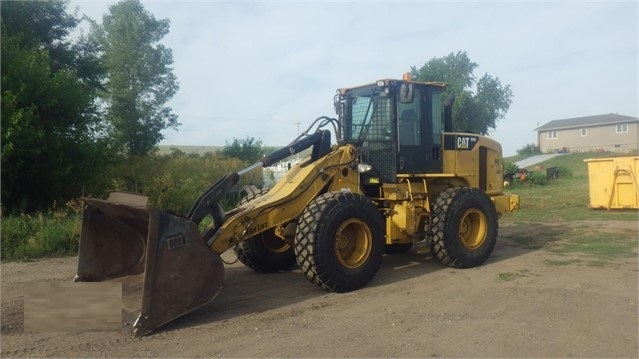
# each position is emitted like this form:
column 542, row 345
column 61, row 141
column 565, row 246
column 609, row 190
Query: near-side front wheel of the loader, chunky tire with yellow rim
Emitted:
column 339, row 241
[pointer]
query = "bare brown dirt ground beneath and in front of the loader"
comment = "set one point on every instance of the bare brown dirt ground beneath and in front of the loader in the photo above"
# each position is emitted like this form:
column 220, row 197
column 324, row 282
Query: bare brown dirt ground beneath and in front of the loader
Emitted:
column 525, row 301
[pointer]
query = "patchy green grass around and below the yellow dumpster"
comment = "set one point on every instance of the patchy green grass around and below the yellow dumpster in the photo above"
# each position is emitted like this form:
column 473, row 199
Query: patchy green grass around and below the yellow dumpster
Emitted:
column 556, row 218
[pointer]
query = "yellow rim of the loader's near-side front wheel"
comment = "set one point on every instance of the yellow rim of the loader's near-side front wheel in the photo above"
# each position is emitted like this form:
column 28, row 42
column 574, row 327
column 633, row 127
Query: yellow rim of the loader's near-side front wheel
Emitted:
column 353, row 243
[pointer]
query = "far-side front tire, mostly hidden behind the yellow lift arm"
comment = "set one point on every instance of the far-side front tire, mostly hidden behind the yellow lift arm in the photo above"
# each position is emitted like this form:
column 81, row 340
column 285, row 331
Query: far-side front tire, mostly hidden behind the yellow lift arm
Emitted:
column 265, row 252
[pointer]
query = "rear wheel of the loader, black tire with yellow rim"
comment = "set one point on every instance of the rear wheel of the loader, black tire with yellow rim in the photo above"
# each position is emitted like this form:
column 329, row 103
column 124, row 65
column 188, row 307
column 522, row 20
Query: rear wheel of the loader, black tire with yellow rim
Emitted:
column 465, row 227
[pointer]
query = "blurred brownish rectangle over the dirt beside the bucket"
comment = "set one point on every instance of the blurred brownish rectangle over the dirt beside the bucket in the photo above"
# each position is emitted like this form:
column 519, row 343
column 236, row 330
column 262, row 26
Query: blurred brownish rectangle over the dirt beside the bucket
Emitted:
column 73, row 307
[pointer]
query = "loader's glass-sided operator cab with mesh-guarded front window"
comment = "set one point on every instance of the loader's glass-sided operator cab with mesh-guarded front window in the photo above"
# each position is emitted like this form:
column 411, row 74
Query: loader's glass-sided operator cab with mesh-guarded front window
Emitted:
column 397, row 124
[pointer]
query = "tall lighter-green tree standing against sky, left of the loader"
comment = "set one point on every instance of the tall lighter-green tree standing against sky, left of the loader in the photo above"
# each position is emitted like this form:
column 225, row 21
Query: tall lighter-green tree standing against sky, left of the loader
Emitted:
column 140, row 79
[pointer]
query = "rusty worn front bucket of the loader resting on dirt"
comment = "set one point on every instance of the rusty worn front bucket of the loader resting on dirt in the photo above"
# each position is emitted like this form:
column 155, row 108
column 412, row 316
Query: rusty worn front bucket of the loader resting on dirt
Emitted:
column 165, row 267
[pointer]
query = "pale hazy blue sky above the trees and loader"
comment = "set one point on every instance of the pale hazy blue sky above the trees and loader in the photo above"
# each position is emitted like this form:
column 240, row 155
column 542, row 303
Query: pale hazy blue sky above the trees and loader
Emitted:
column 266, row 69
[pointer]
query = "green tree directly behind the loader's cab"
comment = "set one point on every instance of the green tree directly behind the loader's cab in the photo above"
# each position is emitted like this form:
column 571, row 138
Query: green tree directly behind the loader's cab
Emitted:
column 479, row 104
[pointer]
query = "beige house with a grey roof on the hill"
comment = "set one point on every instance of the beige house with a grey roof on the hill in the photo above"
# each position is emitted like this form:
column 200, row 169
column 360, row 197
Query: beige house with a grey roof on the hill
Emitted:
column 611, row 132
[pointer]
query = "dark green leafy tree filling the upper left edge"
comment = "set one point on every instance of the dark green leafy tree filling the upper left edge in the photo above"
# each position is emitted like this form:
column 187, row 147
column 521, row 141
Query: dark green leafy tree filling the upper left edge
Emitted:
column 52, row 141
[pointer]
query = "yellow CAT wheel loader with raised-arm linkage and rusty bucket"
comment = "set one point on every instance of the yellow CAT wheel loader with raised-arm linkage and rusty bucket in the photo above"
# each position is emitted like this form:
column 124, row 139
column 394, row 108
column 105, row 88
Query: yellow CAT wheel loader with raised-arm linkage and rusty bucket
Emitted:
column 396, row 179
